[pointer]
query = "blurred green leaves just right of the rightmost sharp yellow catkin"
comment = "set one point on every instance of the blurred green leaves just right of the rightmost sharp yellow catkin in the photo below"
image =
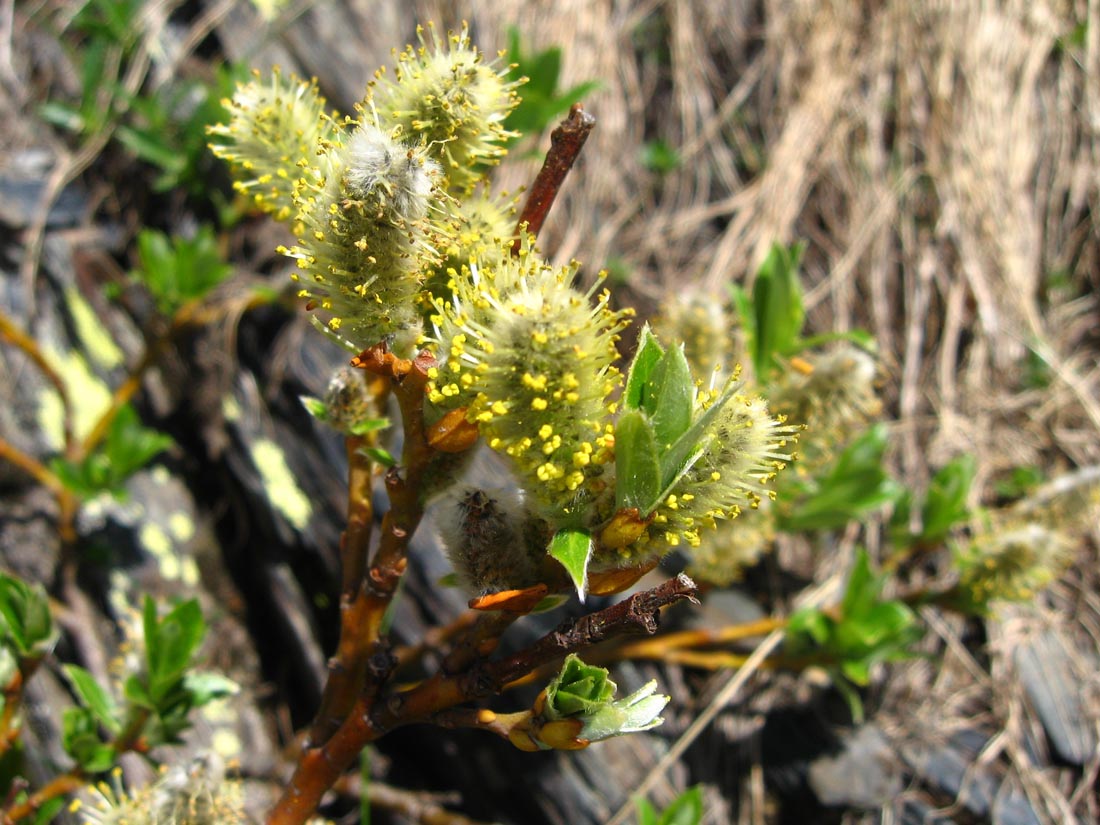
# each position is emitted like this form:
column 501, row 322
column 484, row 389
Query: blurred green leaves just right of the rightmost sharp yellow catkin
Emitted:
column 853, row 487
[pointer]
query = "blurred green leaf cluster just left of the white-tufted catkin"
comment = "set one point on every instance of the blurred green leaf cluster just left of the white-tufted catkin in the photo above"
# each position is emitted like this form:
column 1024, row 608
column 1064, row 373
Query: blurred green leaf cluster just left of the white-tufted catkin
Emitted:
column 179, row 270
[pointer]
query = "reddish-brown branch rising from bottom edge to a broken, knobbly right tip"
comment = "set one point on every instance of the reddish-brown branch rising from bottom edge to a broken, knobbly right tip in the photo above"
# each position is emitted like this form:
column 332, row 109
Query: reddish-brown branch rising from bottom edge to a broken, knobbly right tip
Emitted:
column 320, row 768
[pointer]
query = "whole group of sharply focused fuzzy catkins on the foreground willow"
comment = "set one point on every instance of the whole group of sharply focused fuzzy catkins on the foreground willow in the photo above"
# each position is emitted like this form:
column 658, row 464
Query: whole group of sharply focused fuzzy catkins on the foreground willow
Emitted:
column 401, row 240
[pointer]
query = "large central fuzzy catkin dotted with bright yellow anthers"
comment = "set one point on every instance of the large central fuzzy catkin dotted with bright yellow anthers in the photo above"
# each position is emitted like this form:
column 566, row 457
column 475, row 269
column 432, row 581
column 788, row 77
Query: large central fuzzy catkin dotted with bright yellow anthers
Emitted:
column 532, row 360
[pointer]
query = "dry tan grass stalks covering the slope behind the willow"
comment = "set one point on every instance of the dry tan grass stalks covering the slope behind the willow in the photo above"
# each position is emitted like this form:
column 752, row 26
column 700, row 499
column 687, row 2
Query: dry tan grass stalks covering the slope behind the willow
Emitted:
column 941, row 158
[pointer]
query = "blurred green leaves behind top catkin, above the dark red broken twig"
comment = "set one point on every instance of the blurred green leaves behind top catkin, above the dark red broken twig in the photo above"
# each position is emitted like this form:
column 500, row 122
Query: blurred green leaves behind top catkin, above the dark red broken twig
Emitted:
column 542, row 102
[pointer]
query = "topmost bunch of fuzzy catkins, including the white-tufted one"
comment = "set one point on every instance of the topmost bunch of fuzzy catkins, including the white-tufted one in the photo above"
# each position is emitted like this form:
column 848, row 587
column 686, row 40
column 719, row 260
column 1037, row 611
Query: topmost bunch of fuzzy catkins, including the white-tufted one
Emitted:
column 371, row 200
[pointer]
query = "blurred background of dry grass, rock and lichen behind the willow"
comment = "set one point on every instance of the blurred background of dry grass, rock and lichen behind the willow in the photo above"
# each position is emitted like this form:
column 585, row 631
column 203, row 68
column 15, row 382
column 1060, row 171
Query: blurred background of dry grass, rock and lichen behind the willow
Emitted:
column 940, row 160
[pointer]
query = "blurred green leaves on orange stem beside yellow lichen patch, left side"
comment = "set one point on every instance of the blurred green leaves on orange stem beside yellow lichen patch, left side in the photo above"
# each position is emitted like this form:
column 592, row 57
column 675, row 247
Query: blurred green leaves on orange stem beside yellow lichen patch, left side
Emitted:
column 128, row 447
